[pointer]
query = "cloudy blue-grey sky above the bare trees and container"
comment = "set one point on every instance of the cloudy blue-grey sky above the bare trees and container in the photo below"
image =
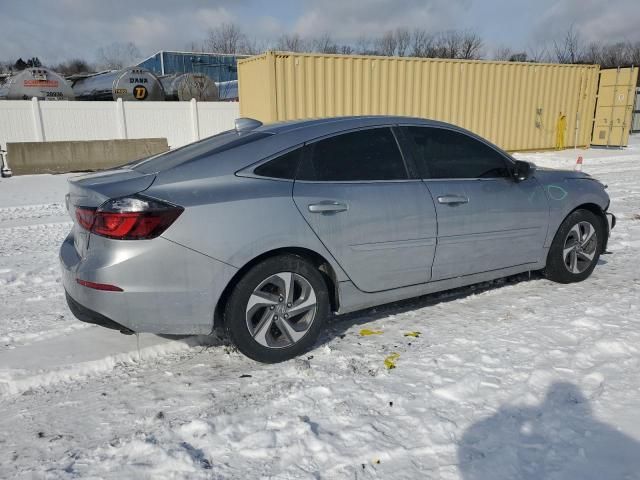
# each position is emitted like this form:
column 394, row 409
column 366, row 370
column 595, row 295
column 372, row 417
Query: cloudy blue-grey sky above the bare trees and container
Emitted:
column 56, row 30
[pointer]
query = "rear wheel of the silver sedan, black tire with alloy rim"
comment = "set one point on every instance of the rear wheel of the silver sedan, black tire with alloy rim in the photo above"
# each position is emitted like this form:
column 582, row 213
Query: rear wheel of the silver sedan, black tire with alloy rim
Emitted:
column 277, row 309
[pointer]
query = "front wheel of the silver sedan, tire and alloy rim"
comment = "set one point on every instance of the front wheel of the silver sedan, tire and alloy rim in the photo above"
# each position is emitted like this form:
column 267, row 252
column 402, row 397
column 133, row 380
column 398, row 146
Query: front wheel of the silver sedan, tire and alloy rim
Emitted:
column 576, row 247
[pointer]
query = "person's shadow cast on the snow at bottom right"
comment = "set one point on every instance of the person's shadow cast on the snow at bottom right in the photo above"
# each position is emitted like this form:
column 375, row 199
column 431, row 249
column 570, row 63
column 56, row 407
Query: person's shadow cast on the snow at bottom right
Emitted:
column 559, row 438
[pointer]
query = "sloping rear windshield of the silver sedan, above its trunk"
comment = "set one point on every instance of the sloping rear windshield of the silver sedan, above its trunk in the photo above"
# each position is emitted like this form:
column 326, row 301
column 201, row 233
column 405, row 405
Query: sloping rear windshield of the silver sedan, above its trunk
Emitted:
column 208, row 146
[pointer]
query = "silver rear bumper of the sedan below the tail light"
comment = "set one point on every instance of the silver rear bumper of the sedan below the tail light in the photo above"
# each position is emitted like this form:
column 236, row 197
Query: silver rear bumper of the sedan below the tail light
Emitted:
column 166, row 288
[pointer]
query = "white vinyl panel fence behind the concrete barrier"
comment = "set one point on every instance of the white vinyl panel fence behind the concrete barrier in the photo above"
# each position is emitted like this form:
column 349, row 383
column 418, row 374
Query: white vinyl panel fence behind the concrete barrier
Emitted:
column 179, row 122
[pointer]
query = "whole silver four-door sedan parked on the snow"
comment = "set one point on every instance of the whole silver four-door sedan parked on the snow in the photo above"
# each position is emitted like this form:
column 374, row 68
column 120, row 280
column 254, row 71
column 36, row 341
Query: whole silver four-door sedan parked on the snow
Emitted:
column 266, row 229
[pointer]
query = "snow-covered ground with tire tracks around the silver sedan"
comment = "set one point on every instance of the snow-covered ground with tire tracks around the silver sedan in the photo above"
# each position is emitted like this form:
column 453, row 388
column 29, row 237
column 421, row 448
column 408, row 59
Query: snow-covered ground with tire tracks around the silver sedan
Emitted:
column 521, row 378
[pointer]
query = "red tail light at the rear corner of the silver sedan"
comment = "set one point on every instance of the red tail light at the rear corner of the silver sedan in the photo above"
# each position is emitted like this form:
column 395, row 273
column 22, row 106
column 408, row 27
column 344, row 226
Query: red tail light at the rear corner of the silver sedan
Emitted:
column 129, row 218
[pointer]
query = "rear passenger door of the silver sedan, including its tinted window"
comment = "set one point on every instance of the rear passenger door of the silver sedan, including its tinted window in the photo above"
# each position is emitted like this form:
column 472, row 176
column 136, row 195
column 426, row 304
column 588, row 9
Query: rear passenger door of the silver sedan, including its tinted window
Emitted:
column 354, row 191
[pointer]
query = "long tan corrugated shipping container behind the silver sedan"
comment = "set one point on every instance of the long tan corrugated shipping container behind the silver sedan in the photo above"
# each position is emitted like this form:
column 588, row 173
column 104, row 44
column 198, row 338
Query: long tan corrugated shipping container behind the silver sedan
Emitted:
column 515, row 105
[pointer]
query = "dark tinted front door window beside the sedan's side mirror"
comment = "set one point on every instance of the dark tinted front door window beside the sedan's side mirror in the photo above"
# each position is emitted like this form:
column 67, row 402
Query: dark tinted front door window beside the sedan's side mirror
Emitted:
column 443, row 153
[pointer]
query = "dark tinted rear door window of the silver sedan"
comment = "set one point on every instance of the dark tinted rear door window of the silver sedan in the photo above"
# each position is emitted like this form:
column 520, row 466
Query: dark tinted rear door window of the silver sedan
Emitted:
column 362, row 155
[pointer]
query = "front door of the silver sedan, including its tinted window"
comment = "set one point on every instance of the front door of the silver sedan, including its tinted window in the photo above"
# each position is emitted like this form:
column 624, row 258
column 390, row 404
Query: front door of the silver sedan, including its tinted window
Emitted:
column 486, row 219
